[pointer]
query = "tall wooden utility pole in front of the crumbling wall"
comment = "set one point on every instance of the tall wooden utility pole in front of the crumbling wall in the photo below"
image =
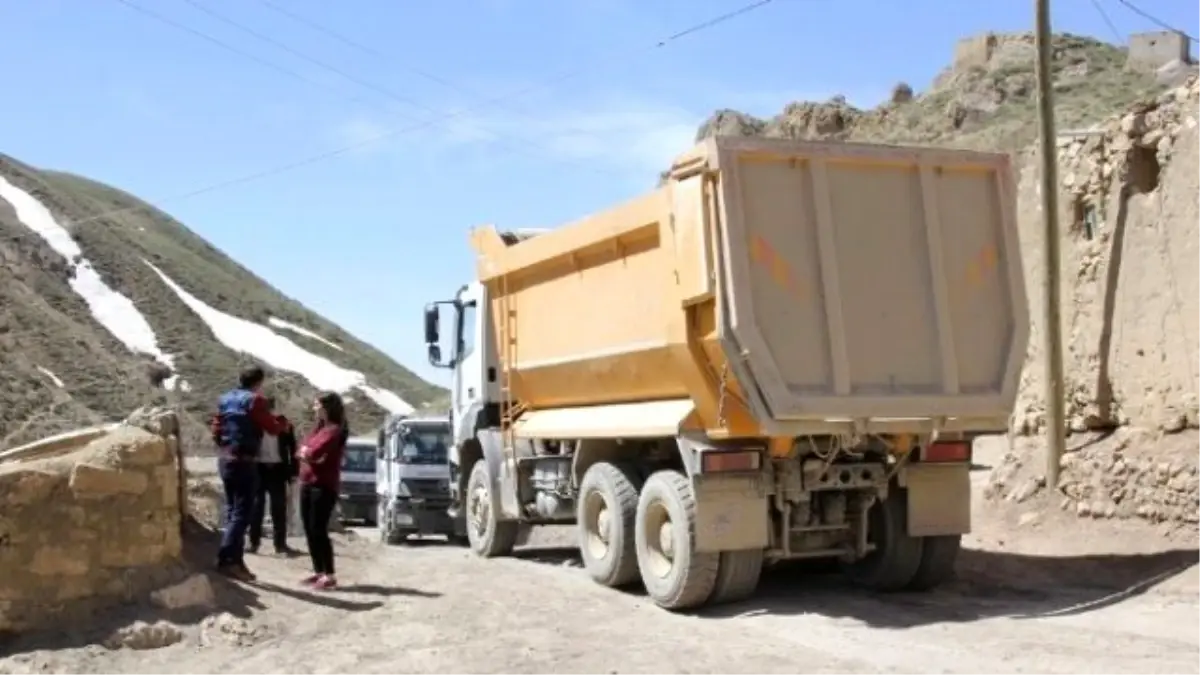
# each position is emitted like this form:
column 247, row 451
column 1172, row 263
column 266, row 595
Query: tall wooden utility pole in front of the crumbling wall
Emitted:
column 1052, row 324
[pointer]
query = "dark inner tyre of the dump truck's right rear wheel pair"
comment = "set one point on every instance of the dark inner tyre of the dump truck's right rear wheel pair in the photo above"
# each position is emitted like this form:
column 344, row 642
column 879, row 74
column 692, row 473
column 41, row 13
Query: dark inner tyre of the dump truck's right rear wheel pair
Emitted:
column 897, row 557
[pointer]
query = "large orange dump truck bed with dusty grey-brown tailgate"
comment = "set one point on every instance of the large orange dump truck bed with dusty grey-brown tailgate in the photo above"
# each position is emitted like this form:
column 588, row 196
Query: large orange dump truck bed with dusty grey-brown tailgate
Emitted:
column 847, row 282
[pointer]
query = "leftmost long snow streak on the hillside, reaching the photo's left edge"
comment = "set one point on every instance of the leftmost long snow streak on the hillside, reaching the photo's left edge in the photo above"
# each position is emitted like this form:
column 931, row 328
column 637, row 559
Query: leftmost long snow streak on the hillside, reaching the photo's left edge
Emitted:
column 113, row 310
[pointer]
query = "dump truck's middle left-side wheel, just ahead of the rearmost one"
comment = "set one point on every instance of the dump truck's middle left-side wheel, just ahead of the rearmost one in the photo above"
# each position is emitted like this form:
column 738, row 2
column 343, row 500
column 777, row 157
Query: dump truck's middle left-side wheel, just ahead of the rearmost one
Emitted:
column 605, row 513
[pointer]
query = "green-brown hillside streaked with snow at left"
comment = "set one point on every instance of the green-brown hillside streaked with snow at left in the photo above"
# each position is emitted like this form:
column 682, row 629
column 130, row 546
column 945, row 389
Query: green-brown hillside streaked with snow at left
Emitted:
column 107, row 303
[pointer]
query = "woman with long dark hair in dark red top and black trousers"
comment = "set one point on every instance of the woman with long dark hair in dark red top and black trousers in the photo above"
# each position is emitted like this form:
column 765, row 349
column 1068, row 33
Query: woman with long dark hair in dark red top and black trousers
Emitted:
column 321, row 477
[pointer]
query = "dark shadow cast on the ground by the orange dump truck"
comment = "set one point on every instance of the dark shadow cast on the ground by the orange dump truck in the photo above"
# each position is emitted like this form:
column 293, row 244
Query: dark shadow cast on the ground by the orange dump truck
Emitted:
column 987, row 586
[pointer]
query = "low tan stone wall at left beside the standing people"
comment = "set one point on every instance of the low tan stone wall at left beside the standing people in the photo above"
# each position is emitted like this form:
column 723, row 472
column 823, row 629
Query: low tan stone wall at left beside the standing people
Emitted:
column 91, row 525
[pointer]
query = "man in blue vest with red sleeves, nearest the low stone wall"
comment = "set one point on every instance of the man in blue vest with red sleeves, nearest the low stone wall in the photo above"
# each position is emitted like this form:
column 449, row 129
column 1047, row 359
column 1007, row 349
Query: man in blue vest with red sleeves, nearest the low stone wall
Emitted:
column 243, row 419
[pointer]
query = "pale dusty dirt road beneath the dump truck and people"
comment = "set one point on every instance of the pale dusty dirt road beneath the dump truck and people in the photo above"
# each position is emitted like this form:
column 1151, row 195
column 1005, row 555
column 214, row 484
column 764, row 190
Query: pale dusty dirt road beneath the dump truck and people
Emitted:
column 434, row 608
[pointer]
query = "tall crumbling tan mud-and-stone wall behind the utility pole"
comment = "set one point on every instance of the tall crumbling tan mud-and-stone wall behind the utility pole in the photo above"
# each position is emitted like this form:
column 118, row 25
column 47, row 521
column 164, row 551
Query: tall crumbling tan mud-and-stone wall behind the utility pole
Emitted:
column 1131, row 288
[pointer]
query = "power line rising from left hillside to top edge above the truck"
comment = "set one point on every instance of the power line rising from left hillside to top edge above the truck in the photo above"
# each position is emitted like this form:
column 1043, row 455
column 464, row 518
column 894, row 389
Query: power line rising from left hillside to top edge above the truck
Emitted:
column 335, row 153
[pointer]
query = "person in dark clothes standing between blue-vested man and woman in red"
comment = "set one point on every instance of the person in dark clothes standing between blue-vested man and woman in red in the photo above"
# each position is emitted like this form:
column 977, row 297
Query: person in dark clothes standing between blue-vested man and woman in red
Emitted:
column 277, row 469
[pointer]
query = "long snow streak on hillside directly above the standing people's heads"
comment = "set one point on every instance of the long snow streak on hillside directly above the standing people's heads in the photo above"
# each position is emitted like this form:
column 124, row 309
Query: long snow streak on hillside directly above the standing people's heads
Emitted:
column 280, row 353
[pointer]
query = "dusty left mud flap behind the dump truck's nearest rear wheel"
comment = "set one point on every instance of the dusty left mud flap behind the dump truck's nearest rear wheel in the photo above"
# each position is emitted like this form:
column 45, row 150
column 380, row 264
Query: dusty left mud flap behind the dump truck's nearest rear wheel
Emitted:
column 731, row 513
